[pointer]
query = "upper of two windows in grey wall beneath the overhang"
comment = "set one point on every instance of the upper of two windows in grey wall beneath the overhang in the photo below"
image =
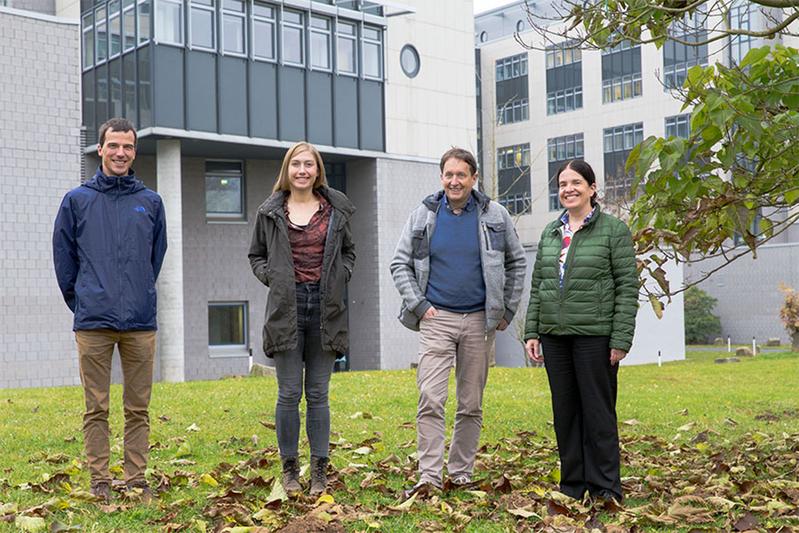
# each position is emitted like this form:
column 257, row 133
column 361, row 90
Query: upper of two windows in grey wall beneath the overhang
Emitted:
column 224, row 189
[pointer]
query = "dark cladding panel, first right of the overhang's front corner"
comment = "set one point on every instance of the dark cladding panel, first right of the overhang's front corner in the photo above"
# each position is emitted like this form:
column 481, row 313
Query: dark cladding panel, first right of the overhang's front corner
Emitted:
column 168, row 86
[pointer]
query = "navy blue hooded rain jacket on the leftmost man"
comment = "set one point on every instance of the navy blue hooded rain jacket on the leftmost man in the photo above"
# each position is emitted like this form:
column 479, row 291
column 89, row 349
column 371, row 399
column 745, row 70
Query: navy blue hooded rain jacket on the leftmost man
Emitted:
column 109, row 243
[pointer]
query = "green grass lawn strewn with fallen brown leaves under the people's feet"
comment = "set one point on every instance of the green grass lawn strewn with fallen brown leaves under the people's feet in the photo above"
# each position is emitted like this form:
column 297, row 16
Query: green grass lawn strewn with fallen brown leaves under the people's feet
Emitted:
column 704, row 445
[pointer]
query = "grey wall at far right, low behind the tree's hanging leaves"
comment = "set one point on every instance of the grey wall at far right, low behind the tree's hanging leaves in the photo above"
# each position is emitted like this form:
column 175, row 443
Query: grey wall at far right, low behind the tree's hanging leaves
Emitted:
column 747, row 291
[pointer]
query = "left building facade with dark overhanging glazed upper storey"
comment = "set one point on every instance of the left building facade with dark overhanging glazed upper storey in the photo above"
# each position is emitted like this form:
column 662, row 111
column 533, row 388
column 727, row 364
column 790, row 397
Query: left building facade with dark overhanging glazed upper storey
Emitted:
column 219, row 89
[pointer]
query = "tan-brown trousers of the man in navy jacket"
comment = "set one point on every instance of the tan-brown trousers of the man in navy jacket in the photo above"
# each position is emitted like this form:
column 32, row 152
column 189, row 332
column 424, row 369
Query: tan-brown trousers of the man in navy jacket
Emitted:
column 137, row 352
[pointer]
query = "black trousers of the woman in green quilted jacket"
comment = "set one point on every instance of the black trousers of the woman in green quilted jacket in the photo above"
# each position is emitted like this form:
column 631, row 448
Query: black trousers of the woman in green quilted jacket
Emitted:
column 583, row 385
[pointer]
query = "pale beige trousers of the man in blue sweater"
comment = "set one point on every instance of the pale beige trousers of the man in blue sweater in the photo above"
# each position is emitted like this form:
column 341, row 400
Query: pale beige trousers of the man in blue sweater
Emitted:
column 448, row 339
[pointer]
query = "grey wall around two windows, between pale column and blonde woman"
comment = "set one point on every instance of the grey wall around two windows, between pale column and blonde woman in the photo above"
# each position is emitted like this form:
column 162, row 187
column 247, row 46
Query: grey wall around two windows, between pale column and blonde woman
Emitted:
column 215, row 268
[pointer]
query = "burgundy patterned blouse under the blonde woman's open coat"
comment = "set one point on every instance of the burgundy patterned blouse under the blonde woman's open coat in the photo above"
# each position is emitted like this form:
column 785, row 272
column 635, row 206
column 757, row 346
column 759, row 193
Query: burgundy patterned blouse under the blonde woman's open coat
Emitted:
column 308, row 243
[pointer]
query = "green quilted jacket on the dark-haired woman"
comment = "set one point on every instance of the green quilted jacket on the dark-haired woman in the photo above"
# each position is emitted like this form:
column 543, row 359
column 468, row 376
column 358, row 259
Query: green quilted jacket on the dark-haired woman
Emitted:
column 600, row 286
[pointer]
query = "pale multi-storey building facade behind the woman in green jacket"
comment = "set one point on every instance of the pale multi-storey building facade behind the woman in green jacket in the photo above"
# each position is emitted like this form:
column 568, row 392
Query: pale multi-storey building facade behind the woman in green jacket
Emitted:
column 549, row 102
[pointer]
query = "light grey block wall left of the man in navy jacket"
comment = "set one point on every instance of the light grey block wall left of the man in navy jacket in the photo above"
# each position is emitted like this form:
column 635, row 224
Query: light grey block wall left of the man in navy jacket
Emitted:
column 39, row 163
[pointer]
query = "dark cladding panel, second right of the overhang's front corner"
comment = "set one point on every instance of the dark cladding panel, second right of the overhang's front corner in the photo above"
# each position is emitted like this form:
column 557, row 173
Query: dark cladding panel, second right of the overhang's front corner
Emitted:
column 201, row 91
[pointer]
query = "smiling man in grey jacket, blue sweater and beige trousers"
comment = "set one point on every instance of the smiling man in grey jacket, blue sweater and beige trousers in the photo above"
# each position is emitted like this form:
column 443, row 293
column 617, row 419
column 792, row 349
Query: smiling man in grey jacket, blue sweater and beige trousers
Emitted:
column 459, row 267
